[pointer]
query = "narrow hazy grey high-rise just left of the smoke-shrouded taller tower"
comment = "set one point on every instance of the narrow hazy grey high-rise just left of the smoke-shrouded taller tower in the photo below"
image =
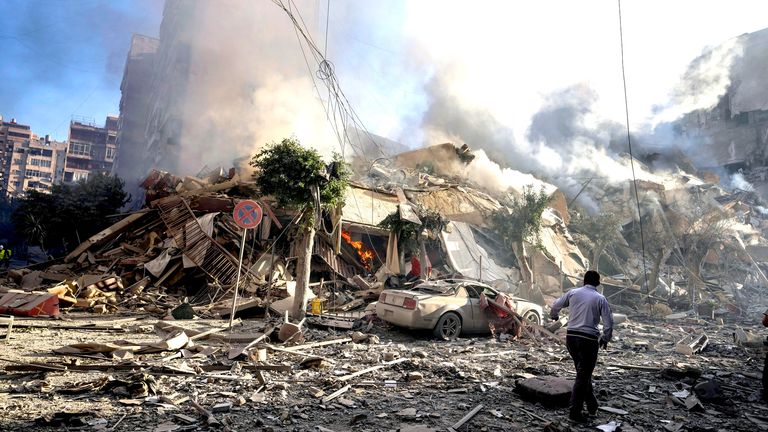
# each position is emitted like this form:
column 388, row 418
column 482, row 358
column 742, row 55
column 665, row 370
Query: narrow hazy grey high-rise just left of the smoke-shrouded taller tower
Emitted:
column 136, row 90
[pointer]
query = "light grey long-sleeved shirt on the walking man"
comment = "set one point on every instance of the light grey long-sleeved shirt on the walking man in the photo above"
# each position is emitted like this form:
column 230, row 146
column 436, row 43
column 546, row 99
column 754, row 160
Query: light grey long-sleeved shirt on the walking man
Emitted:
column 586, row 307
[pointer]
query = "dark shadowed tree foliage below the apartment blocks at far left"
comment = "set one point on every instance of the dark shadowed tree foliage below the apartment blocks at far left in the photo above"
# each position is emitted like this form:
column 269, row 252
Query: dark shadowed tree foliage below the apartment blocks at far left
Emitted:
column 69, row 212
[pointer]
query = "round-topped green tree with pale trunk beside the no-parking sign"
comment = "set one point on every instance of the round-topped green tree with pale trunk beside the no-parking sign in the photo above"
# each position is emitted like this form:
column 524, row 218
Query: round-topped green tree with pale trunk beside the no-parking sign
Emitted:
column 298, row 179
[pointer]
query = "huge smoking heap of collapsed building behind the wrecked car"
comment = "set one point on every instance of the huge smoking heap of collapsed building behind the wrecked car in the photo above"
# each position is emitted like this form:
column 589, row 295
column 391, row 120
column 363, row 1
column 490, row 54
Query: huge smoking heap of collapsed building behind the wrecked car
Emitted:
column 700, row 248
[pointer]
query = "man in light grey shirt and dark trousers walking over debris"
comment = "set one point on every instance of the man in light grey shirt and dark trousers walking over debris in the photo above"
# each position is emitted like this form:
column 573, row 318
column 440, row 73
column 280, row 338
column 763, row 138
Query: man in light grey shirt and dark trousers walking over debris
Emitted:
column 583, row 338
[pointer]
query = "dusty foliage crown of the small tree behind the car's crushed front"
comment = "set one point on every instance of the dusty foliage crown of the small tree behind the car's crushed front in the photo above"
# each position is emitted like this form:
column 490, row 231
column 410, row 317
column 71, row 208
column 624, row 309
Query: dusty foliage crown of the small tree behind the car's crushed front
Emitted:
column 520, row 220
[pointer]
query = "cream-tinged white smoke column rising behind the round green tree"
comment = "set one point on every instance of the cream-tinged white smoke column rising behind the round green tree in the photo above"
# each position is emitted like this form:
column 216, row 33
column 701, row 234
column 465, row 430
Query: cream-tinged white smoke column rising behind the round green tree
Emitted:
column 249, row 82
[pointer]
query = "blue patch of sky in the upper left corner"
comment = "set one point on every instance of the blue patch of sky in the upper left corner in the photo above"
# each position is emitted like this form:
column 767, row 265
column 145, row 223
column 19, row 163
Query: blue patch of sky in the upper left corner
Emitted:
column 65, row 57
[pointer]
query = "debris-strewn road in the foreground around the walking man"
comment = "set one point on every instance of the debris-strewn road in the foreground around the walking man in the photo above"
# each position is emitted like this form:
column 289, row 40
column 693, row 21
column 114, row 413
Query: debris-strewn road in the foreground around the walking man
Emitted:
column 377, row 379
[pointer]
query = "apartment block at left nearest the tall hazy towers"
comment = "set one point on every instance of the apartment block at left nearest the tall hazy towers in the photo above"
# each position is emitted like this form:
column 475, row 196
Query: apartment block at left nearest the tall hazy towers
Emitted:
column 91, row 148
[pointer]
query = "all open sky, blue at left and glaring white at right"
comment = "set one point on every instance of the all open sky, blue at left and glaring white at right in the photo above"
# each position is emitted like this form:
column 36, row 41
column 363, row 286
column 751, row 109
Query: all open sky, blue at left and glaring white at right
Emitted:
column 65, row 58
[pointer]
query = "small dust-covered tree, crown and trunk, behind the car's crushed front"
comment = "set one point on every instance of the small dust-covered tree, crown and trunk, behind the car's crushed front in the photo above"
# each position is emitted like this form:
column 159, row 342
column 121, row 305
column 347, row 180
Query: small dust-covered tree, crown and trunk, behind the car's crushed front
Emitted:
column 519, row 223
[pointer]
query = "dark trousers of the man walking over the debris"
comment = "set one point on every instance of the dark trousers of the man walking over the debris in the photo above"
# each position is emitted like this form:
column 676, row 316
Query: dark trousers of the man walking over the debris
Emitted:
column 583, row 349
